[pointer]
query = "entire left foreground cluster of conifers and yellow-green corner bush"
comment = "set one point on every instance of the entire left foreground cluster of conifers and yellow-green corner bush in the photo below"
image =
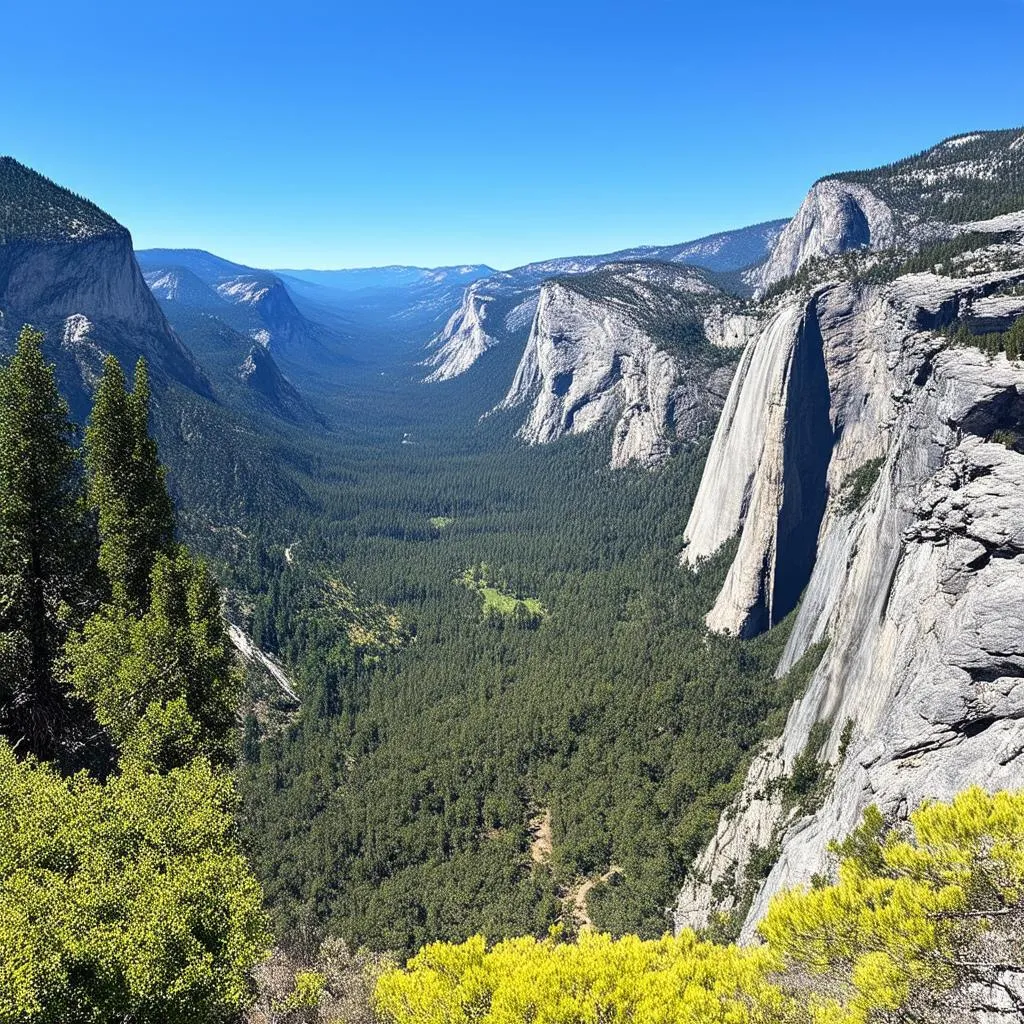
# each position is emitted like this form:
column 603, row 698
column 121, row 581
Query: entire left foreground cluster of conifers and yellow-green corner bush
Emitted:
column 124, row 900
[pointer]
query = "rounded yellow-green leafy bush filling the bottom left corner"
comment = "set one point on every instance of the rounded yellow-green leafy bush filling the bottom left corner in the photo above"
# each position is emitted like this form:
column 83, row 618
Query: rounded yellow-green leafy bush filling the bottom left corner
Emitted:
column 123, row 902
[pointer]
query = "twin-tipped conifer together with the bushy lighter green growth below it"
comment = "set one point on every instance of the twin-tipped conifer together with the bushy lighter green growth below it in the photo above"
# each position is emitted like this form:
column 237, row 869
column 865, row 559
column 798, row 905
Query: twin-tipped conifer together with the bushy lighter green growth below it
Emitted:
column 155, row 662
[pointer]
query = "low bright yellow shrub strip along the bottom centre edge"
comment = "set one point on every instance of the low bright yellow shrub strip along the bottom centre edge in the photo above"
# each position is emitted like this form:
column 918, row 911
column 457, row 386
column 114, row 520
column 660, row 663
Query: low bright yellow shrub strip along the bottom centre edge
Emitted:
column 668, row 982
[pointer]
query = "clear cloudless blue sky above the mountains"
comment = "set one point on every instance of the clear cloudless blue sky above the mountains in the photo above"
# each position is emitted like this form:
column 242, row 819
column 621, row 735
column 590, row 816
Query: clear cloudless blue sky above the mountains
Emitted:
column 347, row 135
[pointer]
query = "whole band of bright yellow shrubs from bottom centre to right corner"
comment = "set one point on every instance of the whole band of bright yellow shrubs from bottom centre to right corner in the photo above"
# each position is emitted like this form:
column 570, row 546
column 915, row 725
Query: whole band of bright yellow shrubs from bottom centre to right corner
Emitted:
column 906, row 907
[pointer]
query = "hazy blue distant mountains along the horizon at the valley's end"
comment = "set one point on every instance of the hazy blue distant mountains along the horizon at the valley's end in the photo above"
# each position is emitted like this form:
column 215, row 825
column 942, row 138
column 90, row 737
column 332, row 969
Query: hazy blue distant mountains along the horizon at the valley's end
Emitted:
column 369, row 311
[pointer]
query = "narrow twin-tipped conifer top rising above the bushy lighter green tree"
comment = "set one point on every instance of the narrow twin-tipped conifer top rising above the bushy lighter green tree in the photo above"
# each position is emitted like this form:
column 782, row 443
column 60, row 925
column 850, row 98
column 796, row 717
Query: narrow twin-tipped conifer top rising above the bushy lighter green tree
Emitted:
column 127, row 487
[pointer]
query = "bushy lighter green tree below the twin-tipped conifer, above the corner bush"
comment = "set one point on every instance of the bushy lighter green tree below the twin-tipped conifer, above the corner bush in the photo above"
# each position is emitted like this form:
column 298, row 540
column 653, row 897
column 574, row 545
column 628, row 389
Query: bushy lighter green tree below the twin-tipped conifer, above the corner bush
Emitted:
column 163, row 684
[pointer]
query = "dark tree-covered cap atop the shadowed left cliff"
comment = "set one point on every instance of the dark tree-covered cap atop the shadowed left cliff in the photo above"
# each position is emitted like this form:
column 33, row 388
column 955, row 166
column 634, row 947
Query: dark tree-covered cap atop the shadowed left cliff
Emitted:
column 35, row 209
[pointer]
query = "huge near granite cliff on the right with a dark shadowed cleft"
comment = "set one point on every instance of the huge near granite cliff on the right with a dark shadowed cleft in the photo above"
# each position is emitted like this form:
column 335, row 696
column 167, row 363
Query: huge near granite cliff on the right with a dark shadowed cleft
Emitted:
column 916, row 583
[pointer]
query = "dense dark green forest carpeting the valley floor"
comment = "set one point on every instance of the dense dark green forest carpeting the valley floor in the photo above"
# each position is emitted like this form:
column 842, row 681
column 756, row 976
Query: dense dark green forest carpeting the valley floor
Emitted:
column 402, row 802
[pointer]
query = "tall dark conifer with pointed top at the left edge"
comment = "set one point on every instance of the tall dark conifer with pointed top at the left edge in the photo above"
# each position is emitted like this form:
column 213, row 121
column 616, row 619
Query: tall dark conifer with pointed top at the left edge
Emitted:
column 44, row 548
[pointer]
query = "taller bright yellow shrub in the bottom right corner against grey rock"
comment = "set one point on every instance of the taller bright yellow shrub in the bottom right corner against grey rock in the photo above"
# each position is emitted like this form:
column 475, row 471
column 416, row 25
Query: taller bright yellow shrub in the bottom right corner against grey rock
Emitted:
column 907, row 907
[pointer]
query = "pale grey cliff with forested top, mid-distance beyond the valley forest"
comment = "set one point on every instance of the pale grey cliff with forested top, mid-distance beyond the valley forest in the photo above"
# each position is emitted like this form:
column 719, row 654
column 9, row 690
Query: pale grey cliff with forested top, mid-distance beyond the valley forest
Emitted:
column 627, row 346
